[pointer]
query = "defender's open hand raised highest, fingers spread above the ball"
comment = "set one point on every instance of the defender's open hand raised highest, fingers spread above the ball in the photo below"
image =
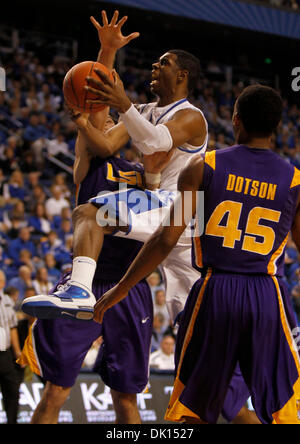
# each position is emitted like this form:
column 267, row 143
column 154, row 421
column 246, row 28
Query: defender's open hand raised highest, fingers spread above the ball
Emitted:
column 110, row 34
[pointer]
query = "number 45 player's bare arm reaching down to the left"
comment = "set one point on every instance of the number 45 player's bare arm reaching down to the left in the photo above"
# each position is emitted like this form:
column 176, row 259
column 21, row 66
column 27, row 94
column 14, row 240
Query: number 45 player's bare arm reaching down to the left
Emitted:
column 162, row 241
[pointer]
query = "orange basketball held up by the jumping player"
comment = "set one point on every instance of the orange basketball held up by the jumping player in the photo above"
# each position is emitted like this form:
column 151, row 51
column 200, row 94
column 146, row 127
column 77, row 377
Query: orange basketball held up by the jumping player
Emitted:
column 73, row 86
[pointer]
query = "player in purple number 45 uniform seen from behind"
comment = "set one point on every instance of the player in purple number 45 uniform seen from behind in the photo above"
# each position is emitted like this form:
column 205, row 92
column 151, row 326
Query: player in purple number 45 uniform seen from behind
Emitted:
column 239, row 311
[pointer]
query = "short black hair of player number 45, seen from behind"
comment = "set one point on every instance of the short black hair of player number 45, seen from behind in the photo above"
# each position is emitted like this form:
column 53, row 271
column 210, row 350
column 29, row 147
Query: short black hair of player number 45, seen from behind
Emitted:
column 260, row 109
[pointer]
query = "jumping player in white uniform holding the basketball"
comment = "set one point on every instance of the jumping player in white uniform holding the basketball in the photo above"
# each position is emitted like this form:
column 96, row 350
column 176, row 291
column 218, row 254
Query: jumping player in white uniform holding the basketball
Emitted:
column 172, row 126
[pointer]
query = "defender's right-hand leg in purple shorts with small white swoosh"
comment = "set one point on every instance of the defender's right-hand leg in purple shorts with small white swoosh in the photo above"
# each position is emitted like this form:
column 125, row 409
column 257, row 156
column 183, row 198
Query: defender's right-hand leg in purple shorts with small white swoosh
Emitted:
column 123, row 360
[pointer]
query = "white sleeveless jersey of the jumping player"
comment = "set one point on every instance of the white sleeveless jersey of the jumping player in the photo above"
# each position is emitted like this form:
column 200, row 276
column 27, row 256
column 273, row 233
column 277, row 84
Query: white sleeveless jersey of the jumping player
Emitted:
column 182, row 154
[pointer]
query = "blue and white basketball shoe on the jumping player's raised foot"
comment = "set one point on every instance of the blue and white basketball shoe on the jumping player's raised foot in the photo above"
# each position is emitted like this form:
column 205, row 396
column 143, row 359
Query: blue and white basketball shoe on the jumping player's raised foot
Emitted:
column 71, row 301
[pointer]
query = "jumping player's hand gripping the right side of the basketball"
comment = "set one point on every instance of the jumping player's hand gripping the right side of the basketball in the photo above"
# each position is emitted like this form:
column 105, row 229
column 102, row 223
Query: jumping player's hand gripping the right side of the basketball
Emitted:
column 108, row 92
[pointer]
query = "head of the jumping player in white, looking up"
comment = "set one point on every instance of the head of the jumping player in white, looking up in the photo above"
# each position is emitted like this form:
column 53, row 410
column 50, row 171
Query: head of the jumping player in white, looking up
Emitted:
column 175, row 69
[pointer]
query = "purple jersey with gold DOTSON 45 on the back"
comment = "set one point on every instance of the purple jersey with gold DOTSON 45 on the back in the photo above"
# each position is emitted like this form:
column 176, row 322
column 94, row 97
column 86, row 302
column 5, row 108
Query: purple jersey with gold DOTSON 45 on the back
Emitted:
column 250, row 200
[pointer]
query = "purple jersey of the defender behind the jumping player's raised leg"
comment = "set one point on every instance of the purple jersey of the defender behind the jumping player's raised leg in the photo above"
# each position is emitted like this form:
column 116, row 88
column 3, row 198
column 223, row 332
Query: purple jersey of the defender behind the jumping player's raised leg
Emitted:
column 107, row 175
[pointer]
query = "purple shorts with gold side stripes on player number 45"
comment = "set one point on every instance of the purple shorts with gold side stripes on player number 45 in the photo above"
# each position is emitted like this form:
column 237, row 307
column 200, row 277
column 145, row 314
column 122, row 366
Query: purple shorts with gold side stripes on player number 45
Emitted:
column 232, row 319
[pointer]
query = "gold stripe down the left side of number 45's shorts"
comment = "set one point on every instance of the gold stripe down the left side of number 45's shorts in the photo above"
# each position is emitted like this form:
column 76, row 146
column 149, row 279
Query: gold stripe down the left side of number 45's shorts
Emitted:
column 176, row 411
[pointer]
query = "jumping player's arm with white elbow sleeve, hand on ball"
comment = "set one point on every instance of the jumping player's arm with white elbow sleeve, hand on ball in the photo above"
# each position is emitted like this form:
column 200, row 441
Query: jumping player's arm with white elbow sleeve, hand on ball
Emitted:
column 187, row 126
